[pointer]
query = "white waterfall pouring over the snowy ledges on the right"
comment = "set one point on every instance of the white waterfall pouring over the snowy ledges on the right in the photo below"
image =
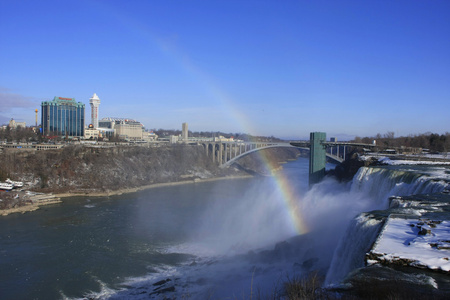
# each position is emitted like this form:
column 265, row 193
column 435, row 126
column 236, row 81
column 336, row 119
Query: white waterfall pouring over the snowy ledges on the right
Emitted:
column 375, row 185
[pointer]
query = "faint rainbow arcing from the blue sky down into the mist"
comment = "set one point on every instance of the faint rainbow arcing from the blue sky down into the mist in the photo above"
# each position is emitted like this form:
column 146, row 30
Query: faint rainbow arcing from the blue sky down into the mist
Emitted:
column 228, row 106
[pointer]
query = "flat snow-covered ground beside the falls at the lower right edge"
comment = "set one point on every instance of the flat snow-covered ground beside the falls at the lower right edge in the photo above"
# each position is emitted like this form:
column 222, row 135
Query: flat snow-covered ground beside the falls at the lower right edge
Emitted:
column 420, row 243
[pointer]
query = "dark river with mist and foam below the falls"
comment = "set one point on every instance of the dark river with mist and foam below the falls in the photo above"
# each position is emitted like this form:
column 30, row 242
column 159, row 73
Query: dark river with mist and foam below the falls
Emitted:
column 227, row 238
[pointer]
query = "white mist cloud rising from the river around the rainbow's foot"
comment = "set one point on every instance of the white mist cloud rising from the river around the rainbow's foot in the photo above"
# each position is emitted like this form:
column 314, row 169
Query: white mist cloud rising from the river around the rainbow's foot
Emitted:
column 250, row 239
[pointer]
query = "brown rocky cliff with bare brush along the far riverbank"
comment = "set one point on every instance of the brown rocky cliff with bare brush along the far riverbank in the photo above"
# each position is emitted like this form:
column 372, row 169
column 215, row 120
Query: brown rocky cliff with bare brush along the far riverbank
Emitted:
column 87, row 168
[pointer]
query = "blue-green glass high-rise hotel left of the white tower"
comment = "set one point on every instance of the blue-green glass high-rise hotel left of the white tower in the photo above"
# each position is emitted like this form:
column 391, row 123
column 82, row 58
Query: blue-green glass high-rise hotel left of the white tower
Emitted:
column 63, row 116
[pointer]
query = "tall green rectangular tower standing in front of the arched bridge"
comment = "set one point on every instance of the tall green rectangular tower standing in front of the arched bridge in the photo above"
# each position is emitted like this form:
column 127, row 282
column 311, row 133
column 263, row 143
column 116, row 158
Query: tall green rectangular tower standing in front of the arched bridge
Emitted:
column 317, row 157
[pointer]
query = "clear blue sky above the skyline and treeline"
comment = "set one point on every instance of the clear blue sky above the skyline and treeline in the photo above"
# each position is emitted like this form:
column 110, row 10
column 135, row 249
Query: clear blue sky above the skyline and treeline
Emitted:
column 282, row 68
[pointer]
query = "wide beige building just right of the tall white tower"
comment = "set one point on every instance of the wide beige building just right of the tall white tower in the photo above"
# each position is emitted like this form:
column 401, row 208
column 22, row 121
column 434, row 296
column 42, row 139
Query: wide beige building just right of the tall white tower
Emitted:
column 125, row 128
